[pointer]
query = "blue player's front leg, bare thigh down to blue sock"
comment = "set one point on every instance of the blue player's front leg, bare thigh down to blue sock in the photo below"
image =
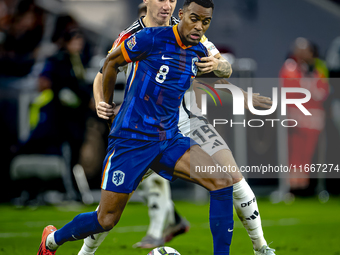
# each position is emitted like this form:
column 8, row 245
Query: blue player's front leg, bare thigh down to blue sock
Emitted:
column 221, row 196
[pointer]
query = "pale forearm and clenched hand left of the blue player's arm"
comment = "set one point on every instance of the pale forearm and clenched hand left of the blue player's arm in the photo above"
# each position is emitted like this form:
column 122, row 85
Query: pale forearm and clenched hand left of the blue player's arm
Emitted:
column 104, row 110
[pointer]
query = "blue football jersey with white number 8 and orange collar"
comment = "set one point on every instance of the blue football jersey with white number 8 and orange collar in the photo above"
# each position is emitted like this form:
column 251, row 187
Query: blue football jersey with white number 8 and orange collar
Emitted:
column 163, row 70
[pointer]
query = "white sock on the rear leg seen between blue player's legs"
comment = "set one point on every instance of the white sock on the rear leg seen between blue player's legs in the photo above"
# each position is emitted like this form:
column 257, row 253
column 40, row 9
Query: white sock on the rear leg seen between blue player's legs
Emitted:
column 159, row 203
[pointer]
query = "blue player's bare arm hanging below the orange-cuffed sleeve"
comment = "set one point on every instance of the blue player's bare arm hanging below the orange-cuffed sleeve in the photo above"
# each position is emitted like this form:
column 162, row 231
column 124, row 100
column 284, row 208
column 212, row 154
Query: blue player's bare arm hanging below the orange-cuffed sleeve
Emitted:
column 110, row 70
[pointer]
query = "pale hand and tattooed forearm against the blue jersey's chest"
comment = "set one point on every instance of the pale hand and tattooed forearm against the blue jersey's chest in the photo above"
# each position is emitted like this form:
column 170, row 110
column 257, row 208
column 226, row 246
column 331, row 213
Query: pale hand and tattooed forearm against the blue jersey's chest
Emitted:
column 217, row 64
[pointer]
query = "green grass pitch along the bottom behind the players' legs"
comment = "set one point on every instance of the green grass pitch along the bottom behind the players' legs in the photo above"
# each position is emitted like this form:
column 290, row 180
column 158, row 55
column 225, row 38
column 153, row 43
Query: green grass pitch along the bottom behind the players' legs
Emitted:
column 304, row 227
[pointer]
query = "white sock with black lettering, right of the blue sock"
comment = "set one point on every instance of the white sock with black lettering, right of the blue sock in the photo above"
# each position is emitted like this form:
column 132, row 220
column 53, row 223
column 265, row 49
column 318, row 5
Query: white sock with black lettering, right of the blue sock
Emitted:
column 247, row 210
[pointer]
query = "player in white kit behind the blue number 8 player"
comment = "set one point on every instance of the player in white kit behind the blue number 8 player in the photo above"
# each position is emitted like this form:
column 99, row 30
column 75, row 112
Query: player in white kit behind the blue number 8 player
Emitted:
column 157, row 189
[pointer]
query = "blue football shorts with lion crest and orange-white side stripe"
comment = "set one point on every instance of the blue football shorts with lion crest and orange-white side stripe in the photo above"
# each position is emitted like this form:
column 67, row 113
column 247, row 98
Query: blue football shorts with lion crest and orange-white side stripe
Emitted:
column 127, row 160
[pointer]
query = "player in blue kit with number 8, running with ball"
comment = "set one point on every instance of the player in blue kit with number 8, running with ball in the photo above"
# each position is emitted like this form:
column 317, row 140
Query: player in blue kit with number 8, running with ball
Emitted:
column 145, row 132
